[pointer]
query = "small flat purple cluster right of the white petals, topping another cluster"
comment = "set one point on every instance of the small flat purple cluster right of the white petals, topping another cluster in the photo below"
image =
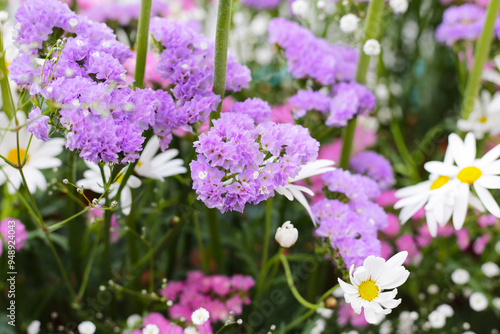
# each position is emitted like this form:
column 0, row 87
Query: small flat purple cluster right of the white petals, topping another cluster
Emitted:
column 353, row 186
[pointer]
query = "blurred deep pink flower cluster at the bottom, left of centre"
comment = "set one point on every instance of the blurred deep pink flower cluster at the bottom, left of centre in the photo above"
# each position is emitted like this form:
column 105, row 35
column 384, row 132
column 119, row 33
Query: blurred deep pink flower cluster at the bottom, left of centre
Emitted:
column 217, row 294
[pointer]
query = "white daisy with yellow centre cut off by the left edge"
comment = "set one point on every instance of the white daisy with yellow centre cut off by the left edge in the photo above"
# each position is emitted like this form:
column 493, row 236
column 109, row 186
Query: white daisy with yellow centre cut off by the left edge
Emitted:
column 40, row 155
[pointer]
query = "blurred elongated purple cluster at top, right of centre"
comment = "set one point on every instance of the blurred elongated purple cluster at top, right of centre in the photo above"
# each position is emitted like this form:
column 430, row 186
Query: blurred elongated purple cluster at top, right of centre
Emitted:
column 310, row 56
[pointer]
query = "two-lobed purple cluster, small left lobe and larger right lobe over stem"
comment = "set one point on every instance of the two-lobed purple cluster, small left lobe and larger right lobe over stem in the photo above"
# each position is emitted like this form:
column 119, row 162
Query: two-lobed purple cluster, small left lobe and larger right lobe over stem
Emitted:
column 347, row 100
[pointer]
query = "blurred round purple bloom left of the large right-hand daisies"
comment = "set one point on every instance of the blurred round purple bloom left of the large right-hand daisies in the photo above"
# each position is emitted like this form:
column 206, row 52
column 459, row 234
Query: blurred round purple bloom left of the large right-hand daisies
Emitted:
column 375, row 166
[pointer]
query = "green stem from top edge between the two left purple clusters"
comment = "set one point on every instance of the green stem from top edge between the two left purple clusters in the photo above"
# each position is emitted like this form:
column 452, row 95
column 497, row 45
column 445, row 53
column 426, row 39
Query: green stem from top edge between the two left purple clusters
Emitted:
column 142, row 42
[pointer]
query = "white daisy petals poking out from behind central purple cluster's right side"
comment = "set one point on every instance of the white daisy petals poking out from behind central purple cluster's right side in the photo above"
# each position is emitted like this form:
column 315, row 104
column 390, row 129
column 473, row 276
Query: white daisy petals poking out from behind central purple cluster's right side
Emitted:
column 293, row 191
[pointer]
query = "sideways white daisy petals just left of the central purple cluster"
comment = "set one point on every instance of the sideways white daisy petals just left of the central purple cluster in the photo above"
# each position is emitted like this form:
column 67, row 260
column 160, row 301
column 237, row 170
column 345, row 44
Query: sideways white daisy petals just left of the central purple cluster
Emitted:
column 160, row 166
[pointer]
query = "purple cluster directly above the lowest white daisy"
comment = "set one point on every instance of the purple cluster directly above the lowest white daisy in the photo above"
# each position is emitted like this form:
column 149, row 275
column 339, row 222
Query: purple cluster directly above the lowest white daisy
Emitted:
column 351, row 234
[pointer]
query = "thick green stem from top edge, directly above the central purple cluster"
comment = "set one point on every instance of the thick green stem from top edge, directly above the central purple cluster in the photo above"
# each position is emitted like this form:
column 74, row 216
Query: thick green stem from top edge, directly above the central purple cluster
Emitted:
column 221, row 44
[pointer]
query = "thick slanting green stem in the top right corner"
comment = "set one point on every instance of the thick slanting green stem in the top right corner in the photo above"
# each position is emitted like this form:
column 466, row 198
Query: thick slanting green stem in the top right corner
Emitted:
column 481, row 55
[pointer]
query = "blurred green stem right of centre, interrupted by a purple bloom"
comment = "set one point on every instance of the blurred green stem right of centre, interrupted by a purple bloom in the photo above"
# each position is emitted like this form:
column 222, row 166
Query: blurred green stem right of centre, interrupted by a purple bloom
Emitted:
column 372, row 30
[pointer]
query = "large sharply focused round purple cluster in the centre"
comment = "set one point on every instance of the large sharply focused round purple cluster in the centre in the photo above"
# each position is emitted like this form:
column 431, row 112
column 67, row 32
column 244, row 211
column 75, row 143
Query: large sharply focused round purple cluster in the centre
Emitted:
column 241, row 163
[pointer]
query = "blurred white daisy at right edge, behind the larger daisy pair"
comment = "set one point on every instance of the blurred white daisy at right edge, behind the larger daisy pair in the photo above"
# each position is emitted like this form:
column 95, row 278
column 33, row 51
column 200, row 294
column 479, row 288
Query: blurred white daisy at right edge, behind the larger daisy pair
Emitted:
column 485, row 116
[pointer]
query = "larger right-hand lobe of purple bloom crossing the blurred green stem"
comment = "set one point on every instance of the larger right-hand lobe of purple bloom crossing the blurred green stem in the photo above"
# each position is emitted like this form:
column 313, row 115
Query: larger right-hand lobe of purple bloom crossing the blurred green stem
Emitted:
column 349, row 99
